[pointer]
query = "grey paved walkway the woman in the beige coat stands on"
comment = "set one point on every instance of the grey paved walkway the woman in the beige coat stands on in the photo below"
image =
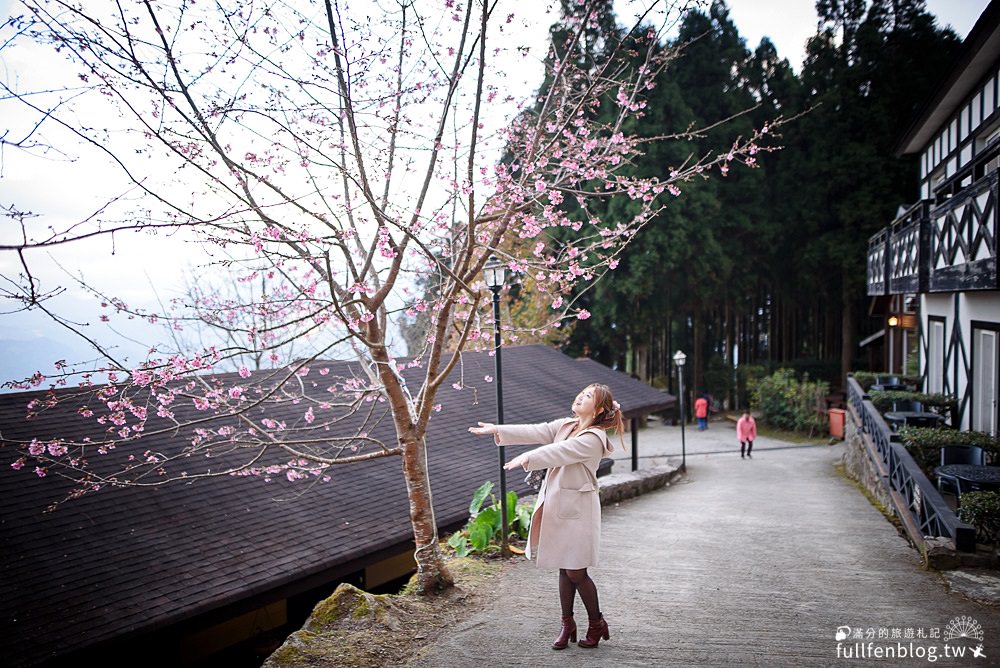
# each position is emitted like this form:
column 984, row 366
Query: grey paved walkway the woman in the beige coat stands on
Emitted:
column 743, row 563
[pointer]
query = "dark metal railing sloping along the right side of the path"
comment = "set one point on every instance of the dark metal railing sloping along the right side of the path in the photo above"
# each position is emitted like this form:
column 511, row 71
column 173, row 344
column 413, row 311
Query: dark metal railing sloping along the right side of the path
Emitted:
column 919, row 498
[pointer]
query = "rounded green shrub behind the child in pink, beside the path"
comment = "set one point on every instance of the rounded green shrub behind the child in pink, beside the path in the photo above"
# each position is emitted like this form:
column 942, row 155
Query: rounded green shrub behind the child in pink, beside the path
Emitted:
column 785, row 402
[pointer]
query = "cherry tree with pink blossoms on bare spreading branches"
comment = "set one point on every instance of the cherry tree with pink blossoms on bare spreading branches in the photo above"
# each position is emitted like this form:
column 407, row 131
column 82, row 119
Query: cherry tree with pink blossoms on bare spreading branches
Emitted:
column 331, row 153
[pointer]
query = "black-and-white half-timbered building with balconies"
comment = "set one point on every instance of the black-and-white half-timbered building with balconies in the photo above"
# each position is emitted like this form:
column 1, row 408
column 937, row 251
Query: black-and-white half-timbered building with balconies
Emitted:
column 932, row 272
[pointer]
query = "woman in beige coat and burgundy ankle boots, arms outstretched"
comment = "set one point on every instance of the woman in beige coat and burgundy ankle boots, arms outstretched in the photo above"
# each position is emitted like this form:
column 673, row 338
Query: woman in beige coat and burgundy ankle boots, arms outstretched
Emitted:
column 565, row 528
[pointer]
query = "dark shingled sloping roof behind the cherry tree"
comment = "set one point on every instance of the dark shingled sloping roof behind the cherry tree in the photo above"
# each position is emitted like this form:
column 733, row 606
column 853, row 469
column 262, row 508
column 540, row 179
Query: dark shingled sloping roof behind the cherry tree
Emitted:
column 133, row 561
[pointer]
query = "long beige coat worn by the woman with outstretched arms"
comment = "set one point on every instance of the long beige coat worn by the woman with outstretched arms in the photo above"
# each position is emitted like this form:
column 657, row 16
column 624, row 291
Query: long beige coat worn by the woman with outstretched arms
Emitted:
column 566, row 522
